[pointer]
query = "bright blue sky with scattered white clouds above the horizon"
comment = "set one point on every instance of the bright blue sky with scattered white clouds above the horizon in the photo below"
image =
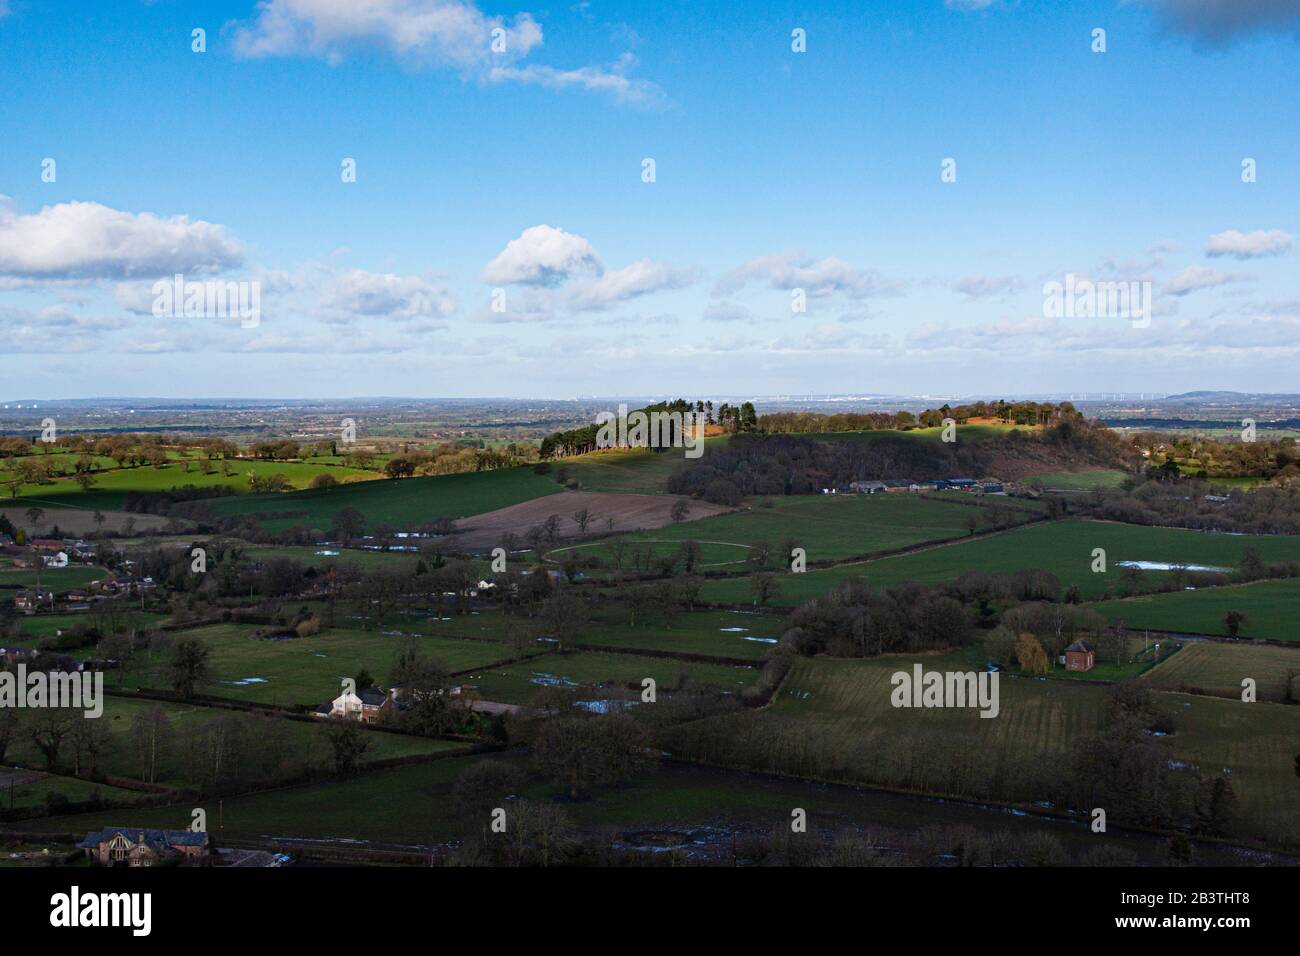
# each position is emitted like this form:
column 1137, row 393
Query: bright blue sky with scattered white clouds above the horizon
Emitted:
column 518, row 174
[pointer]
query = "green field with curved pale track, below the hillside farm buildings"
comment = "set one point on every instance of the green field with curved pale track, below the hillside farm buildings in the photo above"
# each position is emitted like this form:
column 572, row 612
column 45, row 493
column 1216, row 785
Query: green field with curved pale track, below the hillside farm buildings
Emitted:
column 830, row 527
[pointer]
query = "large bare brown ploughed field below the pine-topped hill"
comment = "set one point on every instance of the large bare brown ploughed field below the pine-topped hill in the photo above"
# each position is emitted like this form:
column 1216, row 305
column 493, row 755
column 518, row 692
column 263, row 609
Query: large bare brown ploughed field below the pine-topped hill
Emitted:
column 630, row 513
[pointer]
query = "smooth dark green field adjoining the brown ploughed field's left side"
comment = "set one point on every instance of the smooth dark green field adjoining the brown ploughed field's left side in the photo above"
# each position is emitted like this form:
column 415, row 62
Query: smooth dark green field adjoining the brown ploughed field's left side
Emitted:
column 404, row 504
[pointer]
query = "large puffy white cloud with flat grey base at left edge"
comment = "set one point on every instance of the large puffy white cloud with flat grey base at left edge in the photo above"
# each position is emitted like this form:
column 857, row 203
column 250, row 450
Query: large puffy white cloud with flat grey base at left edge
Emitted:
column 93, row 241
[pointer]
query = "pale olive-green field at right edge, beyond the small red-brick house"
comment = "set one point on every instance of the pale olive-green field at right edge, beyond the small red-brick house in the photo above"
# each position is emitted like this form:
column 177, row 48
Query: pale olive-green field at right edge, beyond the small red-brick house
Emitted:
column 1219, row 669
